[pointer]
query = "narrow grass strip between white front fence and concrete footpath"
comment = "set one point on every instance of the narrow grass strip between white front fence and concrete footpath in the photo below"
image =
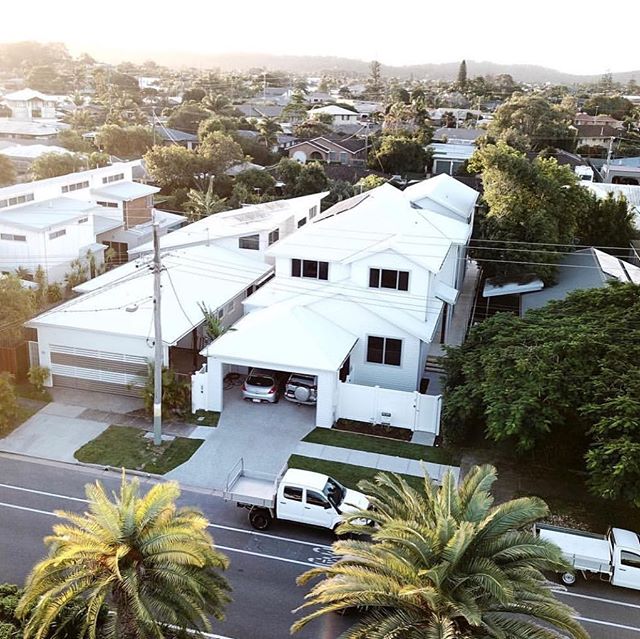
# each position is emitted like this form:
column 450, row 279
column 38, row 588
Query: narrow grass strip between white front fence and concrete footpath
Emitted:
column 369, row 444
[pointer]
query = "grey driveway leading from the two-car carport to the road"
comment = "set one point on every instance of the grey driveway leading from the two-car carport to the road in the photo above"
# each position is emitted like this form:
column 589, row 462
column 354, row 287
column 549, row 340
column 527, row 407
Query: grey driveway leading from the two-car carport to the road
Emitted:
column 264, row 435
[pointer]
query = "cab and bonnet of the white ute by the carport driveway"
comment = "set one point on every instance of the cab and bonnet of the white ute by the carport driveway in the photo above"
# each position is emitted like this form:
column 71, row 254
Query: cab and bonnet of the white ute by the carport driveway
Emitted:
column 315, row 499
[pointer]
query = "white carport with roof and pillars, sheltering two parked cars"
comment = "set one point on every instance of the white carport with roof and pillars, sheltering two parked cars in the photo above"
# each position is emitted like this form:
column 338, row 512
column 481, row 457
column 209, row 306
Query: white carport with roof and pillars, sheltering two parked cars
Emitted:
column 282, row 337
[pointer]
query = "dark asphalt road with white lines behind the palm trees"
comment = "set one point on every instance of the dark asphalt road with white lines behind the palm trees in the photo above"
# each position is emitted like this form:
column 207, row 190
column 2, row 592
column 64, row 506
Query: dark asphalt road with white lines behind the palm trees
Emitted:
column 264, row 566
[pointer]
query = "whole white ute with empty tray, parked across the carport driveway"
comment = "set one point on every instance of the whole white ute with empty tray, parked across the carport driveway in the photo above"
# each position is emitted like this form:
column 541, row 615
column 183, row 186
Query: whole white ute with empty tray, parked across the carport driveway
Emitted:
column 294, row 495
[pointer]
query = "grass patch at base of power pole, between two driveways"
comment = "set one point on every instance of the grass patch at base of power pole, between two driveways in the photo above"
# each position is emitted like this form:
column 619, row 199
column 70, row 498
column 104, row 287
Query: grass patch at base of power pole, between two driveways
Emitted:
column 126, row 446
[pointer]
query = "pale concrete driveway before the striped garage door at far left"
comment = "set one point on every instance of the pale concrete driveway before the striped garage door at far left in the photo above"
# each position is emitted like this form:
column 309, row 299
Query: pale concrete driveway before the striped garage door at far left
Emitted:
column 54, row 432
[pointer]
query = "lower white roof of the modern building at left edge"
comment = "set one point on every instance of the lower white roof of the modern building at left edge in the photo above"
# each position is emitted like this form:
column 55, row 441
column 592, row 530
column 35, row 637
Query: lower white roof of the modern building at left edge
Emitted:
column 45, row 214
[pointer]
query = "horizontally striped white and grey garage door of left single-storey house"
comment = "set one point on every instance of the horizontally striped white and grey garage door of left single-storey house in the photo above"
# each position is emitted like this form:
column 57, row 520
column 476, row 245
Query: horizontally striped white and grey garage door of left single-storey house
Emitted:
column 97, row 370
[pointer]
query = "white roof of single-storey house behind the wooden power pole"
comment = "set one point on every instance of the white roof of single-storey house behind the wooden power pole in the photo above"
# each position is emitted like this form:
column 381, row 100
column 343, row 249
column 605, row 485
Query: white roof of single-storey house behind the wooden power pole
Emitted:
column 121, row 301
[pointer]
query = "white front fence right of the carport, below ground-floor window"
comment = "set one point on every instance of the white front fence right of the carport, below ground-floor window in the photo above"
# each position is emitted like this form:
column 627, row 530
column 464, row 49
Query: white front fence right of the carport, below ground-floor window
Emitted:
column 376, row 405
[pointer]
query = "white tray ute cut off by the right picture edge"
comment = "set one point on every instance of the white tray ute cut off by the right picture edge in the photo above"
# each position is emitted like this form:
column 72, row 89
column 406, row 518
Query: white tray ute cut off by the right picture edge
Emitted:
column 614, row 557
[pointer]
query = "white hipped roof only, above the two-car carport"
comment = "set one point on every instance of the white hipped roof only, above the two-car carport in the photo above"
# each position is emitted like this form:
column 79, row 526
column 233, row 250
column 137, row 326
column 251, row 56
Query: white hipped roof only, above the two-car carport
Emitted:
column 284, row 336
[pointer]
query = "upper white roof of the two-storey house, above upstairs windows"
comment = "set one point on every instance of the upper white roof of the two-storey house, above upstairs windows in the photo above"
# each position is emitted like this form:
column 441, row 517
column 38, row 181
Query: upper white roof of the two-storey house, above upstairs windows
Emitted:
column 385, row 220
